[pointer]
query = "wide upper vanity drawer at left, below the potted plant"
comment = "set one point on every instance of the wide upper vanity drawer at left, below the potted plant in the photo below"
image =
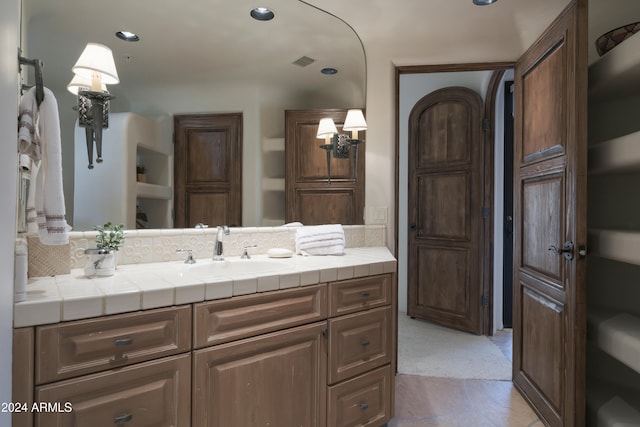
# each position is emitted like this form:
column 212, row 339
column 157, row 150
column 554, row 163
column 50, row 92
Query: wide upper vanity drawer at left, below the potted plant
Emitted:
column 76, row 348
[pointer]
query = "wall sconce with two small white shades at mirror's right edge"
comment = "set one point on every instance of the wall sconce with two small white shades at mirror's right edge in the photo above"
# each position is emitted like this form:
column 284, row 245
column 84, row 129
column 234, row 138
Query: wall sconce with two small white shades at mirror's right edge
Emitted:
column 340, row 144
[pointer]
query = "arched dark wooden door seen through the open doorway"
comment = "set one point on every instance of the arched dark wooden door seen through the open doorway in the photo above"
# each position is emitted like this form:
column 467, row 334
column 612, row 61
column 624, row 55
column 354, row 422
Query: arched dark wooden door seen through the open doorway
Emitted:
column 446, row 184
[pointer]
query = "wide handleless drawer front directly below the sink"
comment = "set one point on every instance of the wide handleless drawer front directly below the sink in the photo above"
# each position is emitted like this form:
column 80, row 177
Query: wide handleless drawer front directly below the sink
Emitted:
column 230, row 319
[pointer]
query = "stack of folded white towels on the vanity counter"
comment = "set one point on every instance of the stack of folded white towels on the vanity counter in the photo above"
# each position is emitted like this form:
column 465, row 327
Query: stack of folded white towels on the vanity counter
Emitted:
column 320, row 240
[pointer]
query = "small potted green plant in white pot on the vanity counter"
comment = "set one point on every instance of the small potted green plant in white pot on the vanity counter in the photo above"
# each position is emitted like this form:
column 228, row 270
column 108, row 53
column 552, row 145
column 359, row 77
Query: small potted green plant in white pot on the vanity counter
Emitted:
column 103, row 260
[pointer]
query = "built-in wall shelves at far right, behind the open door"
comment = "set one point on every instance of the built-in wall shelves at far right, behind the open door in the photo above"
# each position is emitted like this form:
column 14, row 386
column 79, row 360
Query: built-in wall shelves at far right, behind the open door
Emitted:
column 613, row 212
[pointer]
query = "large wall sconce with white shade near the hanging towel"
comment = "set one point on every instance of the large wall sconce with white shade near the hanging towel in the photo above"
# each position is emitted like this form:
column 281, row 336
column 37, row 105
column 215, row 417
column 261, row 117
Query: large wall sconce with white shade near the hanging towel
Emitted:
column 95, row 68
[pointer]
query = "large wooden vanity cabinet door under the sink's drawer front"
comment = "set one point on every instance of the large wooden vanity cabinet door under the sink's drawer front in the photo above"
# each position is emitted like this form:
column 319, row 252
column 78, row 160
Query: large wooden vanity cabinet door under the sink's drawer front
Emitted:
column 277, row 379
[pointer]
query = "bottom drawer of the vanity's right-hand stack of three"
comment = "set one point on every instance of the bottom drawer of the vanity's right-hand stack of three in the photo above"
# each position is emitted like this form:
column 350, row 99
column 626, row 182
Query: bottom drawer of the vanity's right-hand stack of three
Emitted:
column 362, row 401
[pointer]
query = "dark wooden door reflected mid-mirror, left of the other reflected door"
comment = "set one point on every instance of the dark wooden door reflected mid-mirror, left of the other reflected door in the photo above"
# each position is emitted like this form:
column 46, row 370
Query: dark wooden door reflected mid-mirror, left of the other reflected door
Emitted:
column 208, row 170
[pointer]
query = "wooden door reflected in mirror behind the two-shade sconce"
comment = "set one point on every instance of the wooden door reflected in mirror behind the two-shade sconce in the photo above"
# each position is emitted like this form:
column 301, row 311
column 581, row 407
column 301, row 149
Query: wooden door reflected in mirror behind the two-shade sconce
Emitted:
column 308, row 196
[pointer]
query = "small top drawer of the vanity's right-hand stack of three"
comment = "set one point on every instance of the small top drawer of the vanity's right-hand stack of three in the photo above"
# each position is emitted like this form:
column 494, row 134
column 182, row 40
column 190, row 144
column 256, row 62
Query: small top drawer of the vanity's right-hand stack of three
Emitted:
column 349, row 296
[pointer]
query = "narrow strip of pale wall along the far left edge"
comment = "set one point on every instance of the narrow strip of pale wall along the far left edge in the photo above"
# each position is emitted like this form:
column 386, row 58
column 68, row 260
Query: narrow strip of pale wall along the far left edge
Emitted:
column 9, row 36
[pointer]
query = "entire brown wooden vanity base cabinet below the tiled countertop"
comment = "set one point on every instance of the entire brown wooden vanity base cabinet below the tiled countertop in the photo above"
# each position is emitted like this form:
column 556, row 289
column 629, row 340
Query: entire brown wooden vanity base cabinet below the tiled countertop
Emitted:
column 321, row 355
